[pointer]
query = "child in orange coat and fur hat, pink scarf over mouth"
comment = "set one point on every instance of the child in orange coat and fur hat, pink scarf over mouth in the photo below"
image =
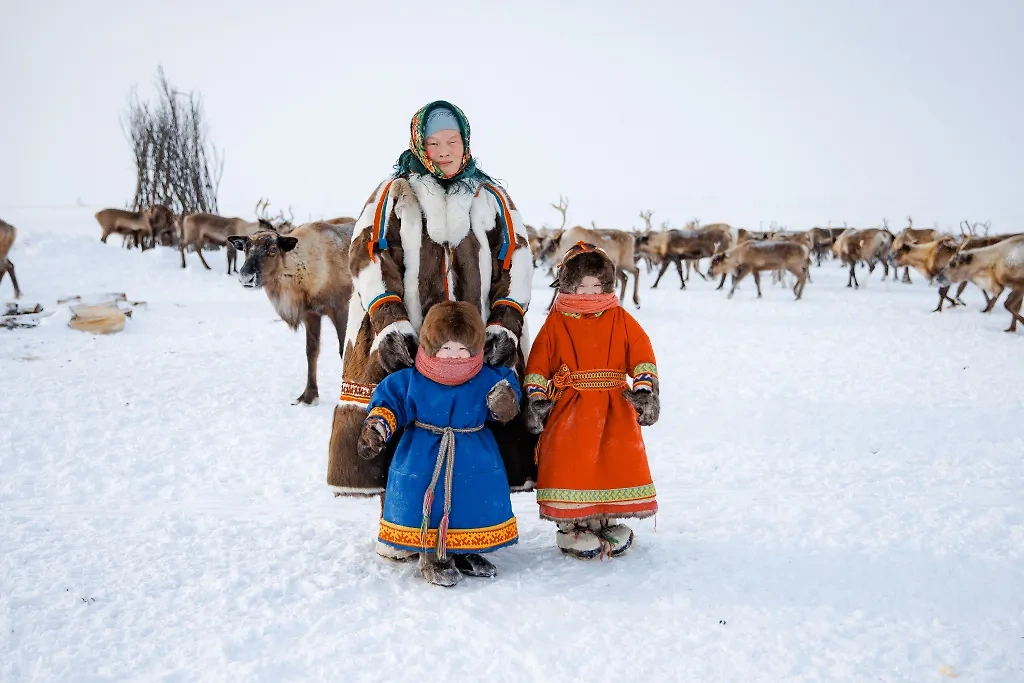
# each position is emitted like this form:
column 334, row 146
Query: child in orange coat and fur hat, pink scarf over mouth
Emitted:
column 592, row 462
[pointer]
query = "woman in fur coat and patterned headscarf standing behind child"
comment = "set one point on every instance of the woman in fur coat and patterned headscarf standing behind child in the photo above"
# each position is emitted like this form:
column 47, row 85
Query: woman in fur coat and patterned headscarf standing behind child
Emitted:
column 439, row 230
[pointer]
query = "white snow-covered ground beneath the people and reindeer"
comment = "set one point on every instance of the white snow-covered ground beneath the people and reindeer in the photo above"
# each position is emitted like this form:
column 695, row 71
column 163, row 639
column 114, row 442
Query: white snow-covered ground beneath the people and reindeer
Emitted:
column 840, row 484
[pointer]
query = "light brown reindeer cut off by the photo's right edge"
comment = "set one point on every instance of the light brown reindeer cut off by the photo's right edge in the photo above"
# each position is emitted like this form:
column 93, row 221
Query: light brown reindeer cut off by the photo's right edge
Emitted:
column 996, row 268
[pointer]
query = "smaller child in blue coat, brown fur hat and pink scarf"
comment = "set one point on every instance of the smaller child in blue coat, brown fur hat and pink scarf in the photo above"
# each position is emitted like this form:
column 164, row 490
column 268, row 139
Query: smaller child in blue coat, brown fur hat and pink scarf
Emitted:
column 448, row 495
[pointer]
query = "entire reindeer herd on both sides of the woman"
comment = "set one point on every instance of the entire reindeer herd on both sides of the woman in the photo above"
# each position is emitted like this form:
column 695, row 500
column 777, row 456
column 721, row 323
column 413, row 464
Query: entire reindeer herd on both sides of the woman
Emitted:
column 305, row 270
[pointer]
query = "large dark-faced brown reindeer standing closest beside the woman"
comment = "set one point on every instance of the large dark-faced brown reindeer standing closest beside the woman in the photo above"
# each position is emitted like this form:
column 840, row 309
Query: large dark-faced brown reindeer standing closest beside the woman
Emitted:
column 307, row 276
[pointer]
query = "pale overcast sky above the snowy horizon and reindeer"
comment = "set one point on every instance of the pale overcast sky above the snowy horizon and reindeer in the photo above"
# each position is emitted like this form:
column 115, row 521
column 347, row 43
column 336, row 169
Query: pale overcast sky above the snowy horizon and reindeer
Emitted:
column 735, row 112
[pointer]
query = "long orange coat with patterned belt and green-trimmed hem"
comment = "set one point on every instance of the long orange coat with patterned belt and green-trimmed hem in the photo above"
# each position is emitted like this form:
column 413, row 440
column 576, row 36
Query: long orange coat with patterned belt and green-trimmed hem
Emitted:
column 592, row 460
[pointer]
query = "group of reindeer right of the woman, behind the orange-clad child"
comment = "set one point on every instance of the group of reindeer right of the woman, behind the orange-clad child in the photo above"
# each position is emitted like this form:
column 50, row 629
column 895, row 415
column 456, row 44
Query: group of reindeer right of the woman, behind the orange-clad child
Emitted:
column 993, row 264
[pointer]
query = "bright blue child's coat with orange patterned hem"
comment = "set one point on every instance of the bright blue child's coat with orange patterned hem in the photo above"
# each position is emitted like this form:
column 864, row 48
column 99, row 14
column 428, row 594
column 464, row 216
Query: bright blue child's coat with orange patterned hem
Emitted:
column 481, row 519
